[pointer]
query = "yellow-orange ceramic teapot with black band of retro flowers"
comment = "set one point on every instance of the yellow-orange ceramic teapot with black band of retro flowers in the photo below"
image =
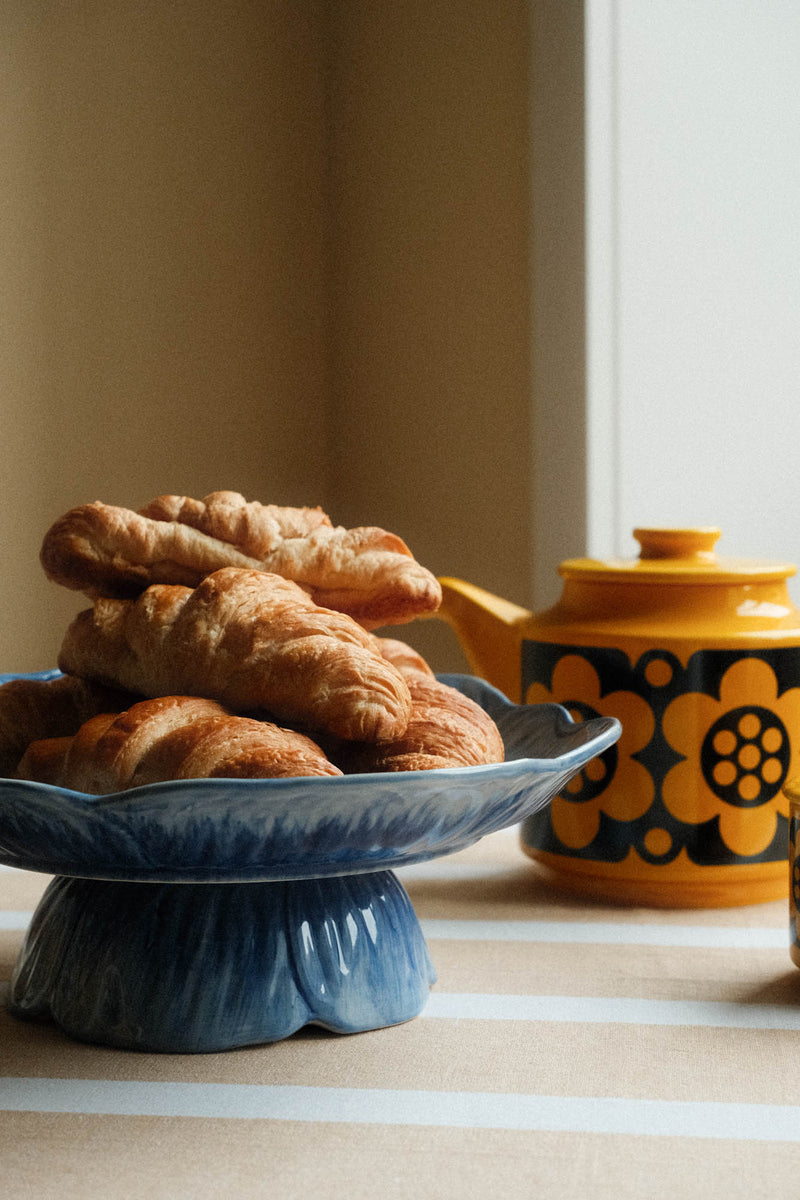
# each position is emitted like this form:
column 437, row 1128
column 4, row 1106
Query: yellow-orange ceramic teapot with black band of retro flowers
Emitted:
column 699, row 657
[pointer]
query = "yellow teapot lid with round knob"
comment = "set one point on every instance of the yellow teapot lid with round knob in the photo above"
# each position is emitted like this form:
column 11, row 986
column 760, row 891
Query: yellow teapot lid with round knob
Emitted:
column 676, row 556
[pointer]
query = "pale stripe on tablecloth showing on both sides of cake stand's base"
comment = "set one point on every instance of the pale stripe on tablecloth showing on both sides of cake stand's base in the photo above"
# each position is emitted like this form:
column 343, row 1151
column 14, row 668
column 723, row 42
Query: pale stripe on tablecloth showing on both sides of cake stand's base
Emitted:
column 568, row 932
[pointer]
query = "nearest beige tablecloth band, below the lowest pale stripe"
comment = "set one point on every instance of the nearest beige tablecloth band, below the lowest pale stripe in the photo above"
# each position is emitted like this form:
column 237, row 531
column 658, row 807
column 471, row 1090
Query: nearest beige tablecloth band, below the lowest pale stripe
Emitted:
column 69, row 1159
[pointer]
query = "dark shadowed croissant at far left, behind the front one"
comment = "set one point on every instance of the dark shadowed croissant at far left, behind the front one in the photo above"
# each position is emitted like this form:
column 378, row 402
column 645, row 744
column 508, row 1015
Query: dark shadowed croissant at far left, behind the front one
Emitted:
column 49, row 709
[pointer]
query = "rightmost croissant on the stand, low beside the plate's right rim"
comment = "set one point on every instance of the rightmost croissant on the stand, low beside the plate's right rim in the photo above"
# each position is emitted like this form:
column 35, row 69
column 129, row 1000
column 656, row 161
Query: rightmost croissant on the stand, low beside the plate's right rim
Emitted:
column 447, row 729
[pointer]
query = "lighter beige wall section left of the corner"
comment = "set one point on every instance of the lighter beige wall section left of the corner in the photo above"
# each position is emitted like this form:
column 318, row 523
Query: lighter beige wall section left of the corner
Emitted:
column 163, row 235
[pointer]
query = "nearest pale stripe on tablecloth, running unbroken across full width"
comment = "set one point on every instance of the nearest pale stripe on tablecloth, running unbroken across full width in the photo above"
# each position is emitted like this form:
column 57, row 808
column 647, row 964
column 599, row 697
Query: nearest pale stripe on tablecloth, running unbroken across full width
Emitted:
column 348, row 1106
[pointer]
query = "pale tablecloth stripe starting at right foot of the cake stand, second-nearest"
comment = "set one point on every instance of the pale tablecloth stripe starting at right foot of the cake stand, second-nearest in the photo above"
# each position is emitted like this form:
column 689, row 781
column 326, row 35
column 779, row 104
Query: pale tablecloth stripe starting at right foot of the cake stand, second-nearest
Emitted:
column 610, row 1011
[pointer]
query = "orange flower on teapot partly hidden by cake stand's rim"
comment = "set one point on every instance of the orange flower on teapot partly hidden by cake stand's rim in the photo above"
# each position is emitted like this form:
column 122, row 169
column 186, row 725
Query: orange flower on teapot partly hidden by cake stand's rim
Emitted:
column 625, row 791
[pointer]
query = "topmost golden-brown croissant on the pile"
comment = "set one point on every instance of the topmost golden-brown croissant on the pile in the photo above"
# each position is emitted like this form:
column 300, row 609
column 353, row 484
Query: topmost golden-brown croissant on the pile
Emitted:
column 368, row 573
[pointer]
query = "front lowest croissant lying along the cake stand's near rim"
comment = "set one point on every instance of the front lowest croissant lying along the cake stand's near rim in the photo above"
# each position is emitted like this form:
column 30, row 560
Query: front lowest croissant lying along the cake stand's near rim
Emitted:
column 172, row 737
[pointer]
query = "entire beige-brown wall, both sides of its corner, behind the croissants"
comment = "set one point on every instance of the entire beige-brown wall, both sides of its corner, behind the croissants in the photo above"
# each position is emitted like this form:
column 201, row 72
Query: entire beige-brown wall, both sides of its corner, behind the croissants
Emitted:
column 276, row 248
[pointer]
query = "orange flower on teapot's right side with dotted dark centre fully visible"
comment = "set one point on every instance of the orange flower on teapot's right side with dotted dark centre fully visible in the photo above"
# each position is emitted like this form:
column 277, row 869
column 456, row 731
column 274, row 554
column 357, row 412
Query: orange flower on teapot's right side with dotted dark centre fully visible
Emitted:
column 737, row 755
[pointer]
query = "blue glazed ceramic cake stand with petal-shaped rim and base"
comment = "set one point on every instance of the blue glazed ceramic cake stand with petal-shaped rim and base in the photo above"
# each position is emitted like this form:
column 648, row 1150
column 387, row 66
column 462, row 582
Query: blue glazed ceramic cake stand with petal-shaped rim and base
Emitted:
column 204, row 915
